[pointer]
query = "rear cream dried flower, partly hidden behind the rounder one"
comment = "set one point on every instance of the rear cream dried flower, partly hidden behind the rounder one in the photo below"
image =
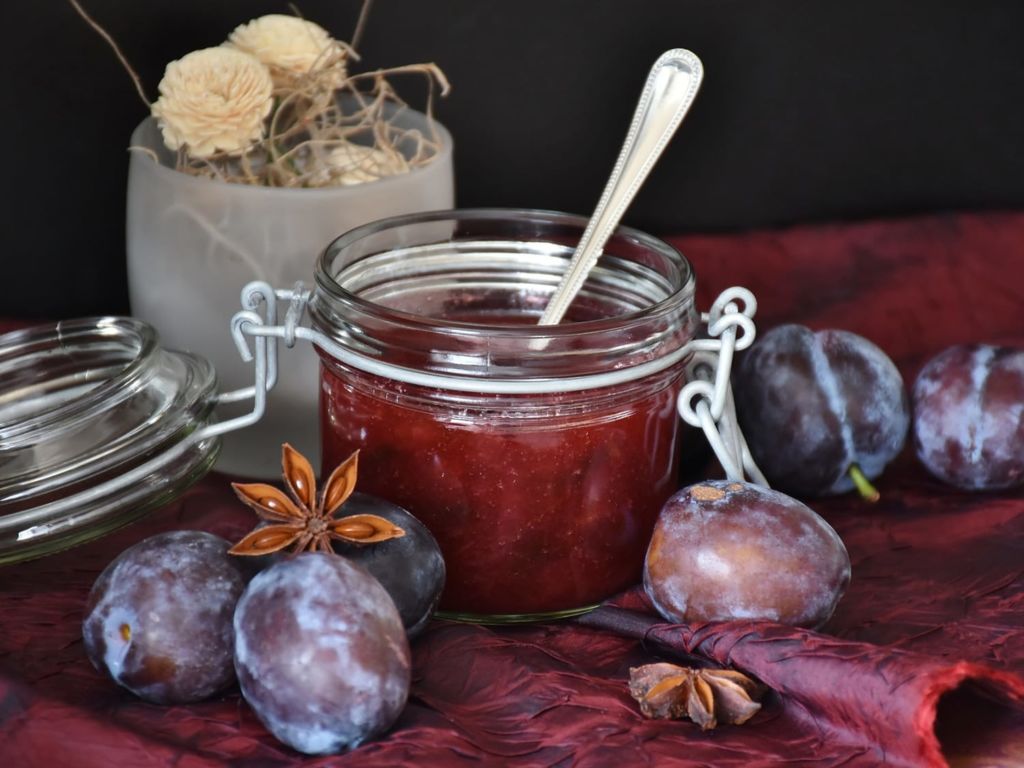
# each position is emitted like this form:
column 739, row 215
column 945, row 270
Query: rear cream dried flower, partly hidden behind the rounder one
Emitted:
column 289, row 46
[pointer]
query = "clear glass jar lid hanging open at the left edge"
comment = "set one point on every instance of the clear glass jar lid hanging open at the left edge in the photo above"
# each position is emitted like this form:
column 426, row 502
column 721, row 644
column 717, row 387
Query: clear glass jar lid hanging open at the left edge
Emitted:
column 99, row 426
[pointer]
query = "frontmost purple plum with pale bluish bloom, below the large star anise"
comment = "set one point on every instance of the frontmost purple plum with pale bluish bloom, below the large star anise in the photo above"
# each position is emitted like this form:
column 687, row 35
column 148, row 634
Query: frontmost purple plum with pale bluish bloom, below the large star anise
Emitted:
column 321, row 654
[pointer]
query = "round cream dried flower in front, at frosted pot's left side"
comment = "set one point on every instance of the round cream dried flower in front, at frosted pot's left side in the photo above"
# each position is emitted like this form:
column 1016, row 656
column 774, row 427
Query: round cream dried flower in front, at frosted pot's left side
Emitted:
column 214, row 101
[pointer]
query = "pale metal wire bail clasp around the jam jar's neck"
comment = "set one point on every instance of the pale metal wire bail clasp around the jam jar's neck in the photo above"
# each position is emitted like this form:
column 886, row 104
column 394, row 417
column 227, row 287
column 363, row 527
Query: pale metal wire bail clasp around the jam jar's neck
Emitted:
column 706, row 402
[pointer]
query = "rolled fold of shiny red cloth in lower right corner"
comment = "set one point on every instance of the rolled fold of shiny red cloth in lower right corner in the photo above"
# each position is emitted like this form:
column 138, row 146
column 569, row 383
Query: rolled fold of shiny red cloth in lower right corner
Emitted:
column 865, row 695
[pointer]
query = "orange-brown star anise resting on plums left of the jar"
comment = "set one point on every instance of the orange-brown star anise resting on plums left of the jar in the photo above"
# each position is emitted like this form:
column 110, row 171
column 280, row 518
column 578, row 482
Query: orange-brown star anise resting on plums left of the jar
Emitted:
column 306, row 522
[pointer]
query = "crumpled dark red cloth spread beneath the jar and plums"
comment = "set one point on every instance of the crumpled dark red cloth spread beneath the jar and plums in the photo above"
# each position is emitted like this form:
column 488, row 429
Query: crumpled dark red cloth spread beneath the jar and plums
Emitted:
column 937, row 594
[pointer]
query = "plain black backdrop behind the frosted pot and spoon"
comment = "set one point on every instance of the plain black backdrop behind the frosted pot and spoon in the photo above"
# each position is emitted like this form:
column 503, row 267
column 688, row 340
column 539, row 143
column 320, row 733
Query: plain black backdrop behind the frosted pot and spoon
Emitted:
column 810, row 111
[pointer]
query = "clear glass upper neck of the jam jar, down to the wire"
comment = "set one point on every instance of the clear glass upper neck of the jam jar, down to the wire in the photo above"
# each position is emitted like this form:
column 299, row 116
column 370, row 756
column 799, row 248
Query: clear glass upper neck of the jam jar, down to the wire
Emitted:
column 503, row 265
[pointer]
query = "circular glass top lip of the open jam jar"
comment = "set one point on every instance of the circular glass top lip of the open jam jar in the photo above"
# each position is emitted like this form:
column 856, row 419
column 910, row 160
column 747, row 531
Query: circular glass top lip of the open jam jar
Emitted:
column 327, row 283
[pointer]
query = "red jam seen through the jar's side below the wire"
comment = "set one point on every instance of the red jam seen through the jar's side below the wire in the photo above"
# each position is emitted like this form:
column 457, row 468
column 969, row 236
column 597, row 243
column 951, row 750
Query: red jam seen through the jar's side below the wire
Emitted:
column 540, row 503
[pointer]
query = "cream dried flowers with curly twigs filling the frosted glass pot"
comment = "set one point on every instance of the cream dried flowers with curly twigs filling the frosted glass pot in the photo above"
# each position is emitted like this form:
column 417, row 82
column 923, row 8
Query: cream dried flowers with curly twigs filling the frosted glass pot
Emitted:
column 277, row 106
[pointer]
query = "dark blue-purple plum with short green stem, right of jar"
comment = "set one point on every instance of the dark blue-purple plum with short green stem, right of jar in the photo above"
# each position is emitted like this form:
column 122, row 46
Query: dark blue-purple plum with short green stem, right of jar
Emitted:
column 815, row 405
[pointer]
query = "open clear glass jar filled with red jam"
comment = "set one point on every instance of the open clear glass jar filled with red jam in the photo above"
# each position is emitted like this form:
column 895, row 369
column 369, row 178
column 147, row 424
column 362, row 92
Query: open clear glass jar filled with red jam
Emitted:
column 539, row 457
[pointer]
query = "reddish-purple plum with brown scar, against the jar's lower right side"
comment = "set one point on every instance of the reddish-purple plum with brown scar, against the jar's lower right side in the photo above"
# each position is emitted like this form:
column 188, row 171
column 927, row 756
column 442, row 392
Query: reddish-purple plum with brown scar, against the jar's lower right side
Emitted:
column 726, row 551
